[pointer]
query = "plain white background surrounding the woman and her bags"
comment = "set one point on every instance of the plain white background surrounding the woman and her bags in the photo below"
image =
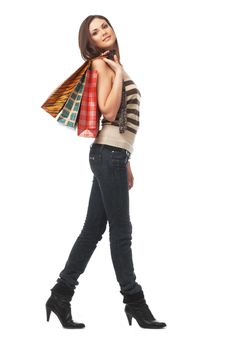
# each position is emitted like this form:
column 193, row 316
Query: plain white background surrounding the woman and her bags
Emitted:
column 179, row 53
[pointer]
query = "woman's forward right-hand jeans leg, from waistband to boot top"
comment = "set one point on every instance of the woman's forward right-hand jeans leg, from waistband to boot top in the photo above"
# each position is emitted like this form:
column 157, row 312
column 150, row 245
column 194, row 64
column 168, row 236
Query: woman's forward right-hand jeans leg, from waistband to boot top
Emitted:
column 109, row 167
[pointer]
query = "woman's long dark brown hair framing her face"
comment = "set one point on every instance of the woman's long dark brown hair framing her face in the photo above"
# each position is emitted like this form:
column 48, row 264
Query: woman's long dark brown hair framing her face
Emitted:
column 87, row 48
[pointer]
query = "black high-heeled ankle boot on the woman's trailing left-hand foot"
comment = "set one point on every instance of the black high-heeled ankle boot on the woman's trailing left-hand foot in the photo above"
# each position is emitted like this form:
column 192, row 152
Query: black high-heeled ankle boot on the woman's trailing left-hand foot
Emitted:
column 59, row 303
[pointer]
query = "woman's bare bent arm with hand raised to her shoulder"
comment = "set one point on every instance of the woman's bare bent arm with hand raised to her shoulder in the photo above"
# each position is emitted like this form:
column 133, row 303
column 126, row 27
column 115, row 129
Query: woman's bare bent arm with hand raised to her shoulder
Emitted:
column 108, row 93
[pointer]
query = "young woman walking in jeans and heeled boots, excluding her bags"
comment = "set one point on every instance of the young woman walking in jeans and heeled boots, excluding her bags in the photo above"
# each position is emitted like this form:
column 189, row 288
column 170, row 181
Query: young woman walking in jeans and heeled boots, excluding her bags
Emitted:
column 118, row 100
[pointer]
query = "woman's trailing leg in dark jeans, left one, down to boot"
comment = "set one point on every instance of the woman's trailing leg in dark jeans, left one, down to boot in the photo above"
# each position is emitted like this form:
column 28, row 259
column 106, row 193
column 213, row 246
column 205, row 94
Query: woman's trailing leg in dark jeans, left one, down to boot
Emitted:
column 83, row 248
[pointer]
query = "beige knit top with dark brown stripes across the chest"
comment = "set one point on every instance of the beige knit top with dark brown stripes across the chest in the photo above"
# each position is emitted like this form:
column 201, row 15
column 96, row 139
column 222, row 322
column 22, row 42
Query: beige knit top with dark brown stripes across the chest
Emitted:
column 109, row 133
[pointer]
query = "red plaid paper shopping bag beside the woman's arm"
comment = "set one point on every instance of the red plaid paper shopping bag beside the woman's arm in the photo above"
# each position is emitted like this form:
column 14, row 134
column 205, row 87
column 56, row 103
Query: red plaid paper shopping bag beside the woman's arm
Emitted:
column 89, row 115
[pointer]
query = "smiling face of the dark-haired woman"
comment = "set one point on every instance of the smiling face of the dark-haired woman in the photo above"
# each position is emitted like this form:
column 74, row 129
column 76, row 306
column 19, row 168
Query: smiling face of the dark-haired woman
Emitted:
column 102, row 35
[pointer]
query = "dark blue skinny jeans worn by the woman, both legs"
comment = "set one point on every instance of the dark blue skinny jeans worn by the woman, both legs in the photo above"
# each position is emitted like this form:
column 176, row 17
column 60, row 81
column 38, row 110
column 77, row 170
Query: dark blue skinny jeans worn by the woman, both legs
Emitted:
column 109, row 201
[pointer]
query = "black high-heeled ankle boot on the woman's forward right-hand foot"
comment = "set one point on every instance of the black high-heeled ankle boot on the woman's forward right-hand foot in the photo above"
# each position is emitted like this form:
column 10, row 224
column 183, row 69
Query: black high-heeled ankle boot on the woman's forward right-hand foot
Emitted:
column 137, row 307
